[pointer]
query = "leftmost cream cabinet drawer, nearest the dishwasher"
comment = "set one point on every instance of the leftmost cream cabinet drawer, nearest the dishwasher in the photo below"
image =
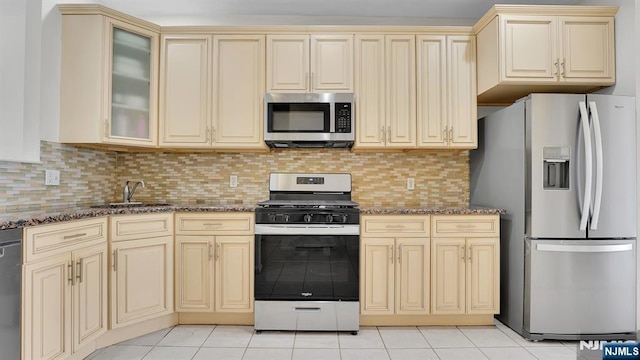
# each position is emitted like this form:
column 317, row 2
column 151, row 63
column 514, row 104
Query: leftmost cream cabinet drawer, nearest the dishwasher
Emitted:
column 46, row 240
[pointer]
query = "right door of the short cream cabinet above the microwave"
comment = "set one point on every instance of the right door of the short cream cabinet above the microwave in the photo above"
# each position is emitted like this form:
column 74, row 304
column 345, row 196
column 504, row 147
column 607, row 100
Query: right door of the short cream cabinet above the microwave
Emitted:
column 332, row 63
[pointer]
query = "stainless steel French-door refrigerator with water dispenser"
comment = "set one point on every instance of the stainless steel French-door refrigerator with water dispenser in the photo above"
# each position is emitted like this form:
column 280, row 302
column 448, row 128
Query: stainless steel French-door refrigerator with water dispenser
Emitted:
column 563, row 166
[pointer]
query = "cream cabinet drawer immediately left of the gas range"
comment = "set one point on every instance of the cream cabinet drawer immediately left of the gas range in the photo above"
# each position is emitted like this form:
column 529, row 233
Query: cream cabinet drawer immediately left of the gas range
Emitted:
column 214, row 223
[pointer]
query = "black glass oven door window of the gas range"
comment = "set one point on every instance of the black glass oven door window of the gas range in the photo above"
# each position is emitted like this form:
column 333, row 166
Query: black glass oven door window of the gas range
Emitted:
column 307, row 267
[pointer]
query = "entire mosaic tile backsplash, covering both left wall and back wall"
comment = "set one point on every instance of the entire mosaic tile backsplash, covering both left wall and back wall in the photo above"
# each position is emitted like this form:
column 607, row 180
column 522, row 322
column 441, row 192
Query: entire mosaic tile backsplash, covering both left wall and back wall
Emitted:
column 95, row 177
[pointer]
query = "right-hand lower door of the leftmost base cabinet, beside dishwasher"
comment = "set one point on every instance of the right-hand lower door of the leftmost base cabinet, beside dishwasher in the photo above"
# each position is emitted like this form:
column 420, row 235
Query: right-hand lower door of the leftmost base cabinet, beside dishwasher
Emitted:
column 90, row 294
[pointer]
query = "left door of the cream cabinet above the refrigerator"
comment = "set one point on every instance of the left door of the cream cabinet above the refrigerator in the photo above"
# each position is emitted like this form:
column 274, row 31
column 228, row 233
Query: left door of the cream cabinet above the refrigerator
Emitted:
column 530, row 50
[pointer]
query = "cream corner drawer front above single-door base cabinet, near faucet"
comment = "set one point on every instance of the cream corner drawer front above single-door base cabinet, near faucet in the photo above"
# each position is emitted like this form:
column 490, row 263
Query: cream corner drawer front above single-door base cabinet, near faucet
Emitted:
column 141, row 226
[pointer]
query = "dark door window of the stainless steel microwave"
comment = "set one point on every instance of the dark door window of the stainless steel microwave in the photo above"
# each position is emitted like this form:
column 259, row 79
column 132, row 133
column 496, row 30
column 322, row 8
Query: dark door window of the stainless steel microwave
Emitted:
column 299, row 117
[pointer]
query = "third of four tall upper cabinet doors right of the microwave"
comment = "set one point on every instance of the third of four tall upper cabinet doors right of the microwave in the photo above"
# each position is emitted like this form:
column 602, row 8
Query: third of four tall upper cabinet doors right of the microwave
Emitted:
column 432, row 90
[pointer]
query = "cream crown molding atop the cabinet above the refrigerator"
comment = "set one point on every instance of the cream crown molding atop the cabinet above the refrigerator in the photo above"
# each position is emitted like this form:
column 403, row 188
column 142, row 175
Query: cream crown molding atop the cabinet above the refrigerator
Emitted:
column 543, row 10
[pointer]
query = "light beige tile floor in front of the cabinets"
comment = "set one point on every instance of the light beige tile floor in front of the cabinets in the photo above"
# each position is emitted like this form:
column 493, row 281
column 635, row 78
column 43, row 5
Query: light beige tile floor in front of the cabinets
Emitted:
column 200, row 342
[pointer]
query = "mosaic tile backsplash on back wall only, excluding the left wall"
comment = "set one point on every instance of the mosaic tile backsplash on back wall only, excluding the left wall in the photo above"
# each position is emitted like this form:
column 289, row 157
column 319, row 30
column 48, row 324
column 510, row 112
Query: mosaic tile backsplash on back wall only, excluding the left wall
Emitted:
column 379, row 179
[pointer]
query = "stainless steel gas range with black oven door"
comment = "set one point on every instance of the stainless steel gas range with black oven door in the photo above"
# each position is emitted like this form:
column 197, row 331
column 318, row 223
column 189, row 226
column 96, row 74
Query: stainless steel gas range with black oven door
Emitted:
column 307, row 254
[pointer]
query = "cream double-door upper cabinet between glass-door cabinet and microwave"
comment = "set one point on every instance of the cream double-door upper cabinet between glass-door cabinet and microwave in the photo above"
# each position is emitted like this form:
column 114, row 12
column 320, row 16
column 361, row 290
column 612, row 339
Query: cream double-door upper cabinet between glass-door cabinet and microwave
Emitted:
column 212, row 90
